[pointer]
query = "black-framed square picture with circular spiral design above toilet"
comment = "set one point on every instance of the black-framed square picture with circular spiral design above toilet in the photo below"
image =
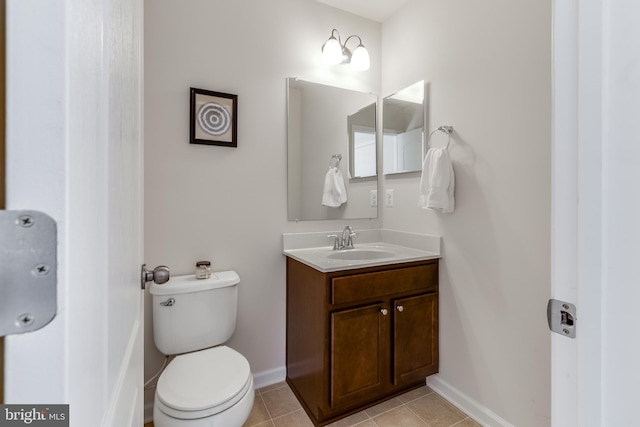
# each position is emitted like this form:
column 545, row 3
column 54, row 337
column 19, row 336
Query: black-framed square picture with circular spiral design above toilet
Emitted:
column 213, row 118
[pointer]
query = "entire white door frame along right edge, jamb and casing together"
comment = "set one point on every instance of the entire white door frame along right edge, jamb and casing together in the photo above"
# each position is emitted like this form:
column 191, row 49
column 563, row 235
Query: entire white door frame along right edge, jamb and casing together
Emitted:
column 596, row 206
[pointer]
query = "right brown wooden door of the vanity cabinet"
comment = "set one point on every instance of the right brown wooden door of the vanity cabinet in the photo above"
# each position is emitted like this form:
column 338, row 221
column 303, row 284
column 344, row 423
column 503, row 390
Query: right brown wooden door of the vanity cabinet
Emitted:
column 415, row 338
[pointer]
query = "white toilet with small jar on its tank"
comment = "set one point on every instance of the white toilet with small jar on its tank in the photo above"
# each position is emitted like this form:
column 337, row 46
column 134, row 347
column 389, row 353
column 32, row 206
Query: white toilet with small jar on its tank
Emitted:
column 207, row 384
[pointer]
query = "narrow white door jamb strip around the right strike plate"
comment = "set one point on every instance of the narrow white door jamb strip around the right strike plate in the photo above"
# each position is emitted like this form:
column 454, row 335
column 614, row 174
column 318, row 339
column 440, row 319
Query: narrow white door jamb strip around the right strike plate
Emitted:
column 564, row 240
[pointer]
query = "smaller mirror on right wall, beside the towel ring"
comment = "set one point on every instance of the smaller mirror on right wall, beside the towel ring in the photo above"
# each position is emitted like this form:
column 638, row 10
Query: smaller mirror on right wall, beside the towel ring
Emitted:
column 403, row 141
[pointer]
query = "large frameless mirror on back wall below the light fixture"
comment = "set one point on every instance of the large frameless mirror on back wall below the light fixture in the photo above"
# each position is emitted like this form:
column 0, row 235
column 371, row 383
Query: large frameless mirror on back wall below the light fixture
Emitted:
column 329, row 127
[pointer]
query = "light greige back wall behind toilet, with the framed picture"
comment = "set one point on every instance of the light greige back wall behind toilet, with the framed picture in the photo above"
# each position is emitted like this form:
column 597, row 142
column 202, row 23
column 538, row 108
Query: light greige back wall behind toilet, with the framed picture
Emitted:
column 224, row 204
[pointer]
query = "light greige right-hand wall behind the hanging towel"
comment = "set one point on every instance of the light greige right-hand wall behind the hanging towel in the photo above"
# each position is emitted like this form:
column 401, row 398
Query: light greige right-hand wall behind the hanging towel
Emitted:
column 488, row 65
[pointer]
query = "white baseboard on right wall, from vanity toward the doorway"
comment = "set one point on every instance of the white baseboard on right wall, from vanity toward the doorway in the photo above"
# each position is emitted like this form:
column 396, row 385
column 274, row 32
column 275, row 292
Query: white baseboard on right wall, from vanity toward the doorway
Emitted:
column 466, row 404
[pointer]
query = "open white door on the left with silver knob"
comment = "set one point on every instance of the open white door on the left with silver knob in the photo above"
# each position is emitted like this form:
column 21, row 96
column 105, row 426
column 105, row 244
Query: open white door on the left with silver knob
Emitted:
column 74, row 151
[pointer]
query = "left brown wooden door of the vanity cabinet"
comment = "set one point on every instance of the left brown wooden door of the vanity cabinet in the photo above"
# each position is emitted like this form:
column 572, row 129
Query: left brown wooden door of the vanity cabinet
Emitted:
column 360, row 354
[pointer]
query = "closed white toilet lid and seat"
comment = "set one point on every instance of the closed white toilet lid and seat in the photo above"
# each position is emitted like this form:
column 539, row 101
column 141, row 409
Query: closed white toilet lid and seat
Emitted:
column 203, row 383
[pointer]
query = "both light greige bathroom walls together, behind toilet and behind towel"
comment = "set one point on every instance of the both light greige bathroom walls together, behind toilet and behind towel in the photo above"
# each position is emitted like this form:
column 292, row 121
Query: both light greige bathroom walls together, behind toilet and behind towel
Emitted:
column 488, row 68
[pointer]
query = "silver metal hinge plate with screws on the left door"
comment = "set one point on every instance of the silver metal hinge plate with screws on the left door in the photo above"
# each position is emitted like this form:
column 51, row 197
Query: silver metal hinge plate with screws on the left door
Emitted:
column 28, row 271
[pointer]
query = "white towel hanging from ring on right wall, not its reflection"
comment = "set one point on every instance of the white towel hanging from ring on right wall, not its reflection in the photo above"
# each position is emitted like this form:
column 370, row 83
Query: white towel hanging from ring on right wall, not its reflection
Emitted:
column 437, row 181
